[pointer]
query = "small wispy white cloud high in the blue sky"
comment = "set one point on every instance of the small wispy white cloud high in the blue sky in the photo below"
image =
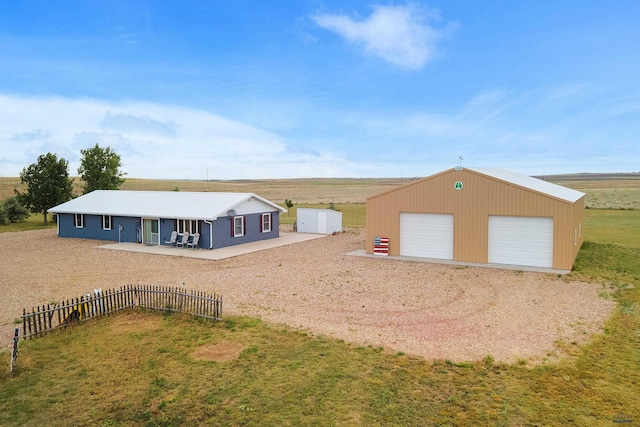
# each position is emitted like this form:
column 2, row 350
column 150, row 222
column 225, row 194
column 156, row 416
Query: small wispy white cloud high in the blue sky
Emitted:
column 398, row 34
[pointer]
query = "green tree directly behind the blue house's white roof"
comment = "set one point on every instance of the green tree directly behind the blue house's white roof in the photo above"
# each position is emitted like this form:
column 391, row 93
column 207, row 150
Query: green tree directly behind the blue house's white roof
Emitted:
column 100, row 169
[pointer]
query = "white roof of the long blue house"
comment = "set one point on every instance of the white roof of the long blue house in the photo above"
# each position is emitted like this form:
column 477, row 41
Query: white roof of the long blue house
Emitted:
column 160, row 204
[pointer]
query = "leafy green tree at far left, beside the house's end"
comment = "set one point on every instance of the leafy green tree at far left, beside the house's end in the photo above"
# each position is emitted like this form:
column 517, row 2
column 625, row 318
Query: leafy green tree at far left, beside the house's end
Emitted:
column 48, row 184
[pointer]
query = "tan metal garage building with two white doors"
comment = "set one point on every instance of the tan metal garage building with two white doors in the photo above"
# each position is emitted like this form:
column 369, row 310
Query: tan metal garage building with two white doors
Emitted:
column 479, row 215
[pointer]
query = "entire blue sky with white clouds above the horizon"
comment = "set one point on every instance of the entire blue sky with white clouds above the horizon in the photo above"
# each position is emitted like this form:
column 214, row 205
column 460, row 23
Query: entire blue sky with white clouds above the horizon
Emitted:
column 287, row 89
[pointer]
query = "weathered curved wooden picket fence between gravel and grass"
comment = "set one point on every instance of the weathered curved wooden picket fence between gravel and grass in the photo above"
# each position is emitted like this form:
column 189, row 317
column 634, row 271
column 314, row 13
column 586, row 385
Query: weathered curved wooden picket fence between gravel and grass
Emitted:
column 43, row 319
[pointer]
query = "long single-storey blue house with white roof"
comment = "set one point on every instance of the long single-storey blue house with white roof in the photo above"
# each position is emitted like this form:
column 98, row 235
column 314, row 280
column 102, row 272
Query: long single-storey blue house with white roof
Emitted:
column 152, row 217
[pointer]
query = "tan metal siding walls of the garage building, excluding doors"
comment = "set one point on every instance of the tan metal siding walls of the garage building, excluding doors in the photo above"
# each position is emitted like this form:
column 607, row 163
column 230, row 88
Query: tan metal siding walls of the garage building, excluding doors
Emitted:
column 481, row 197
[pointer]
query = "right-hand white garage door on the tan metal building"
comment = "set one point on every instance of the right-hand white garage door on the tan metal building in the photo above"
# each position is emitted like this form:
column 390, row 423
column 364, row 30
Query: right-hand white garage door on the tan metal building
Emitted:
column 521, row 241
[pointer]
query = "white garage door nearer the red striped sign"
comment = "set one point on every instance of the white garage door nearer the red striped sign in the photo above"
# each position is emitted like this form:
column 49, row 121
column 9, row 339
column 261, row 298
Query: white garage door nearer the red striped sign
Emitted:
column 426, row 235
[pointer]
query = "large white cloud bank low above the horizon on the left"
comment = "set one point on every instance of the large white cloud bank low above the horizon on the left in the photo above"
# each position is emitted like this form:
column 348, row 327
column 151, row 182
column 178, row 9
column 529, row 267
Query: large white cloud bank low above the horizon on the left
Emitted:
column 155, row 141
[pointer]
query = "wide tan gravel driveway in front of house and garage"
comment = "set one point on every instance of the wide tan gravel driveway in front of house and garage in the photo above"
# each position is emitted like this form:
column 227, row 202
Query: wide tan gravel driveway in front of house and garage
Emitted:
column 435, row 311
